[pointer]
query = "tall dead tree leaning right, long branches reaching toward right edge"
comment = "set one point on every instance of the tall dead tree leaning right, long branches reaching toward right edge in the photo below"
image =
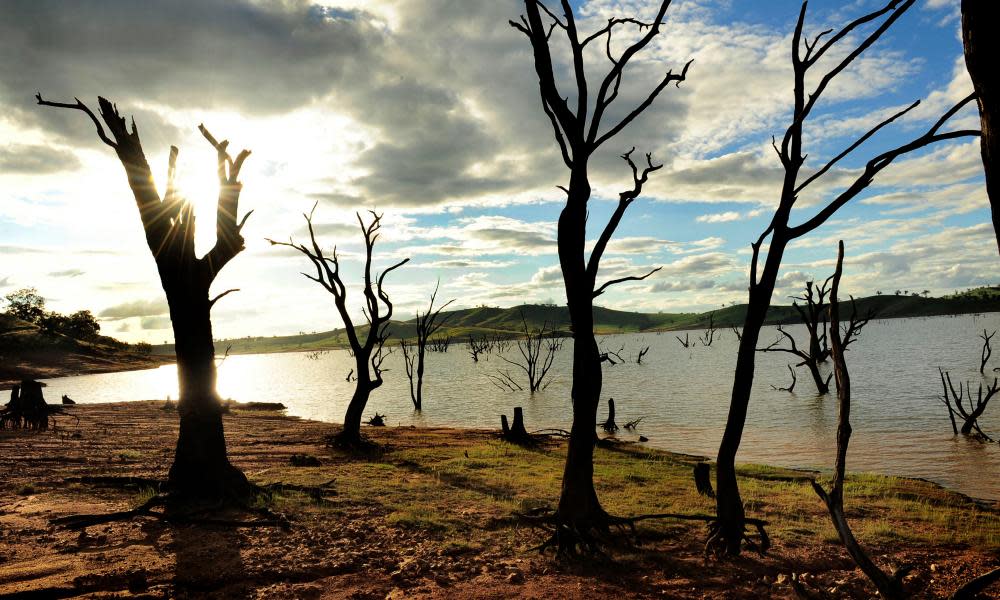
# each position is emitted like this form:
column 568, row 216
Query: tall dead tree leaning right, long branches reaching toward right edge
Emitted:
column 806, row 54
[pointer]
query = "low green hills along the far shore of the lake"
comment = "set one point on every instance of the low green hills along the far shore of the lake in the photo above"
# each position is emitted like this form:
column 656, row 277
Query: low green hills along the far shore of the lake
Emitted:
column 507, row 322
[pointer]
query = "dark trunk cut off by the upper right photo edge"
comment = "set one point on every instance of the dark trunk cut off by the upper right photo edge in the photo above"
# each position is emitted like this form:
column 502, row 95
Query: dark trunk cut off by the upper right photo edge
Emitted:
column 979, row 22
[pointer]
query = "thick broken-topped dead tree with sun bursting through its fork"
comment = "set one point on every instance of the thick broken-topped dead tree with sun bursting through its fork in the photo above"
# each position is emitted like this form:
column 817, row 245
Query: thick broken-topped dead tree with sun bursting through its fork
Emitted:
column 201, row 466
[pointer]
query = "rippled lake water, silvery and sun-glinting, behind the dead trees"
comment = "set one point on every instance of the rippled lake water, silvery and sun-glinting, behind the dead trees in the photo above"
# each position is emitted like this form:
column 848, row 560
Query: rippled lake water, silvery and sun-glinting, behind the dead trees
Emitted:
column 900, row 427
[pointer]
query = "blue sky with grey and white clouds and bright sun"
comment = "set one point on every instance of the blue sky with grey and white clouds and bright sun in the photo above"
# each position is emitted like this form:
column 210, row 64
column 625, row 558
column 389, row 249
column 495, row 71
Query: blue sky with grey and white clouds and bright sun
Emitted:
column 428, row 112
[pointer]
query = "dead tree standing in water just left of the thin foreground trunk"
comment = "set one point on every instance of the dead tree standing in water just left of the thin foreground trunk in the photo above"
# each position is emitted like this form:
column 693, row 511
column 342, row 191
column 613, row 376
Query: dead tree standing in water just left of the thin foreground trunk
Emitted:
column 814, row 317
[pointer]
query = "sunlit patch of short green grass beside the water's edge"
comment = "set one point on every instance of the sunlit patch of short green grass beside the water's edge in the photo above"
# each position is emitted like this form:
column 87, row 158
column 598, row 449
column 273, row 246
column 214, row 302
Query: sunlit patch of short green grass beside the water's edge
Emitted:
column 453, row 487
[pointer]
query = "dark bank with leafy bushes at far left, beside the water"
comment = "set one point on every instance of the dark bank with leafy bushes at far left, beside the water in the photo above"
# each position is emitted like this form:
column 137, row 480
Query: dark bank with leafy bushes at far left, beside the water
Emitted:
column 27, row 352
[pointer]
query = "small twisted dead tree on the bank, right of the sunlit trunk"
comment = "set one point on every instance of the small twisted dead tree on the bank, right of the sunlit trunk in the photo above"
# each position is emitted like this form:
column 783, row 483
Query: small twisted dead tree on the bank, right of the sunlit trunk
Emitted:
column 369, row 354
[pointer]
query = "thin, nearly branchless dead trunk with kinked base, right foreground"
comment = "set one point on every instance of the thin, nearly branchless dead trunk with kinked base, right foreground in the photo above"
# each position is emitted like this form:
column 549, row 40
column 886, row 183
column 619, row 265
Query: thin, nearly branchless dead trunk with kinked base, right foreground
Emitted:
column 889, row 586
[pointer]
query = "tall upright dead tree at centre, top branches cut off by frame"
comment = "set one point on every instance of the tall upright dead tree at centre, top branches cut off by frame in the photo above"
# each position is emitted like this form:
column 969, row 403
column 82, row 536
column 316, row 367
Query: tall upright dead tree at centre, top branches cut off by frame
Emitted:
column 579, row 514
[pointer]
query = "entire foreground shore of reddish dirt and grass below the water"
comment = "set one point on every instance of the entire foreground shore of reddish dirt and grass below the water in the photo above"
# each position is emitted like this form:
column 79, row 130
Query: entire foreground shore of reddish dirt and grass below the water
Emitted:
column 432, row 515
